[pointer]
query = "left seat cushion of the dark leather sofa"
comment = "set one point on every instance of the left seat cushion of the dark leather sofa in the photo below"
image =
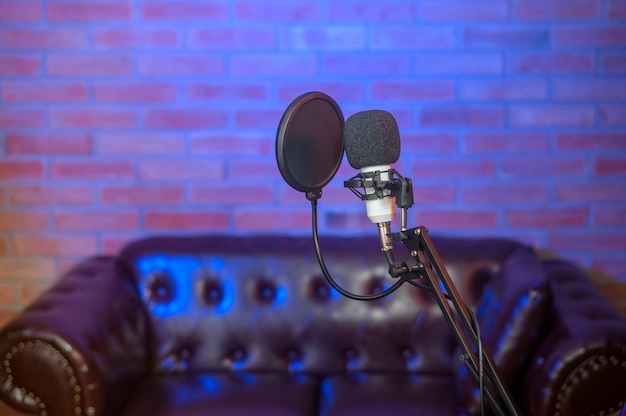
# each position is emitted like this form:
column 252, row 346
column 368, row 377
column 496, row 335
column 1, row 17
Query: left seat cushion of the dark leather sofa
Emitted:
column 226, row 394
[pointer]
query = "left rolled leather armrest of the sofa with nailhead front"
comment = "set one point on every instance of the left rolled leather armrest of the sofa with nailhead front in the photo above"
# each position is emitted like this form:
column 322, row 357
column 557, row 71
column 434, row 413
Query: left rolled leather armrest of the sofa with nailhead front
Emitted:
column 80, row 348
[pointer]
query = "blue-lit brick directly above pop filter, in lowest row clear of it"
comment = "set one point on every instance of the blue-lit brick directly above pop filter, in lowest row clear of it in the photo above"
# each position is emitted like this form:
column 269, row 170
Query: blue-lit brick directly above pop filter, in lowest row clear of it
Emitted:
column 273, row 65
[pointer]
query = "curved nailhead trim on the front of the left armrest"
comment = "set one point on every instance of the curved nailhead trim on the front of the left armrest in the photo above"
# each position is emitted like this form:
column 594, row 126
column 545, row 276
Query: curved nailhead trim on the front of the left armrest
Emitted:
column 73, row 381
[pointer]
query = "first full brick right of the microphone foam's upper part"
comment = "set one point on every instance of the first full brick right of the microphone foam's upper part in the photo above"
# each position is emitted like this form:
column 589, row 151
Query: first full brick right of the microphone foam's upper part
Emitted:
column 474, row 116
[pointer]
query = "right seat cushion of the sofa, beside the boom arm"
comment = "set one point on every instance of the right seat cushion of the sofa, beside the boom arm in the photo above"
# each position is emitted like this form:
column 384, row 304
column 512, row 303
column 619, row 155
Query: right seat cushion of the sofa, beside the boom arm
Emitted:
column 382, row 394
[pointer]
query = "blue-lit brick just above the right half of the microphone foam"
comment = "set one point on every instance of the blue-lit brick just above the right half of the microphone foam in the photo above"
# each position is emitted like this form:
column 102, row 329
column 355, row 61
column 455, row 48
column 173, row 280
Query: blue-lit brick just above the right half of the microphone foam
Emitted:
column 421, row 90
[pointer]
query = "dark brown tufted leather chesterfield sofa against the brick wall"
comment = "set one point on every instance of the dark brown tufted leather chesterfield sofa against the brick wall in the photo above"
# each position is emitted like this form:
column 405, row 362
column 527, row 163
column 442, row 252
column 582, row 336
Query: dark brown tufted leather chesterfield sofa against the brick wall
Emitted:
column 223, row 325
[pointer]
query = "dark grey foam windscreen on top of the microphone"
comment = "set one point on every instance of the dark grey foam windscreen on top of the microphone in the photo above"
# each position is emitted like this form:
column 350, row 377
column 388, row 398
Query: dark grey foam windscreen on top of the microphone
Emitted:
column 371, row 138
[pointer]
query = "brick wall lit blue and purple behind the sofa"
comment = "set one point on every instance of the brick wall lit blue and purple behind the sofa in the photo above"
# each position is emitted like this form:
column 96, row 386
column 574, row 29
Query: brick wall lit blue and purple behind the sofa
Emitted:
column 126, row 118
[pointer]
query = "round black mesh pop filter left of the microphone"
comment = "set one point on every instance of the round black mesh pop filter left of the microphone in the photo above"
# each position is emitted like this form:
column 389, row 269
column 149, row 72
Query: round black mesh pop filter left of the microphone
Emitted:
column 309, row 145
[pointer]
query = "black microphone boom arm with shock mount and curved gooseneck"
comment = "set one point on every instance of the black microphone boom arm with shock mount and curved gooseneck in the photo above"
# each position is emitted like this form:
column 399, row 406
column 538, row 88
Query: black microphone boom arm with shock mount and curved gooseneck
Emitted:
column 429, row 266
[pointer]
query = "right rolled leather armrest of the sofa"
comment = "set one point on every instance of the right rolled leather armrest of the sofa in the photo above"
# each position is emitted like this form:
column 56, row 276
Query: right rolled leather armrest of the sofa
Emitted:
column 580, row 366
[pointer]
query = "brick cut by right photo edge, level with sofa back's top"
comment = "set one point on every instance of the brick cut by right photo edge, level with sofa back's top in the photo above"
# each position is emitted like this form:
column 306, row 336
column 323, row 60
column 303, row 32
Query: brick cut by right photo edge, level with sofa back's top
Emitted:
column 586, row 240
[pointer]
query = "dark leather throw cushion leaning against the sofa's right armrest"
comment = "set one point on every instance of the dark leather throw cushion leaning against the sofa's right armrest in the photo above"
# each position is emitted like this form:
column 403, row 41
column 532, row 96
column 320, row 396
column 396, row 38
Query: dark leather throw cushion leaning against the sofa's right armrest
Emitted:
column 510, row 313
